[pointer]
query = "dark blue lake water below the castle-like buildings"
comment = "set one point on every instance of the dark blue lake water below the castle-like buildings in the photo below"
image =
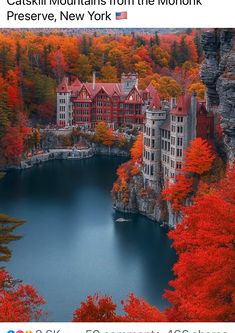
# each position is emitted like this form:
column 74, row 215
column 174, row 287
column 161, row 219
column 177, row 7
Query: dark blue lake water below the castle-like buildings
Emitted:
column 72, row 246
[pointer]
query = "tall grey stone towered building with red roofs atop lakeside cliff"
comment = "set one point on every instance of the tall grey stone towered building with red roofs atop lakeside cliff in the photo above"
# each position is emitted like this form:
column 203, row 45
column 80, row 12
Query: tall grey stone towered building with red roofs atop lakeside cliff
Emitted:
column 168, row 131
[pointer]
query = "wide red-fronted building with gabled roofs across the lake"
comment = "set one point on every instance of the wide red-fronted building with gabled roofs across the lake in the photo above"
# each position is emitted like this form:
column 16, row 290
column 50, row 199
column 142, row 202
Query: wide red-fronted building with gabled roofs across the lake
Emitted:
column 86, row 104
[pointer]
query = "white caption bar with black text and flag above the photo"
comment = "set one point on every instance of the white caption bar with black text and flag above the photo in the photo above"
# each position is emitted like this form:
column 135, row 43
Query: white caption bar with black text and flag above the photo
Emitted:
column 102, row 13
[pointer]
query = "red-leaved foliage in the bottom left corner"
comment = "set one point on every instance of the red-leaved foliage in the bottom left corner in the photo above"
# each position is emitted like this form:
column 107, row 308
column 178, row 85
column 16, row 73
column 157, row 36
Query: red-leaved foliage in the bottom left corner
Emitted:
column 18, row 303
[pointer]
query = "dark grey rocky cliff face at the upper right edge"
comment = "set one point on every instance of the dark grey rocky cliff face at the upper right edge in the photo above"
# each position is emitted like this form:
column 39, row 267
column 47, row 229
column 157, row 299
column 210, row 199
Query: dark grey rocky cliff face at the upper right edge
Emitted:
column 218, row 74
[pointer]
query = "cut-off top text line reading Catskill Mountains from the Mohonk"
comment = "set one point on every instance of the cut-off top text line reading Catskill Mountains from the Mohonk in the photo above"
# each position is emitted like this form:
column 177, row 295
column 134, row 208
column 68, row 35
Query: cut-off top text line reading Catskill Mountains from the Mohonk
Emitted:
column 104, row 2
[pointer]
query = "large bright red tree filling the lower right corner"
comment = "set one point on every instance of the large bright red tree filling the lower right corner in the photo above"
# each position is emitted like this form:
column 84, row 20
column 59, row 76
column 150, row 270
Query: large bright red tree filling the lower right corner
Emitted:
column 204, row 288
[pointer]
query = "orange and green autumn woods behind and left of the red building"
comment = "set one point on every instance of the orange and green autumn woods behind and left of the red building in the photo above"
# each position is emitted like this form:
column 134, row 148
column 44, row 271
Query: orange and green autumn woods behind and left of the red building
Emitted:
column 31, row 65
